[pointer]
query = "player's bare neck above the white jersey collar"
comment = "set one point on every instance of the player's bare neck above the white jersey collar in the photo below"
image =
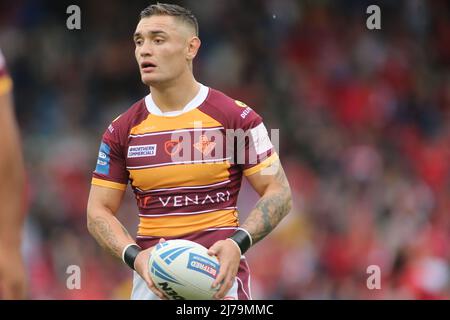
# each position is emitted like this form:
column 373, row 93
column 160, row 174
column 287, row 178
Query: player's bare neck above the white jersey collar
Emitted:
column 175, row 95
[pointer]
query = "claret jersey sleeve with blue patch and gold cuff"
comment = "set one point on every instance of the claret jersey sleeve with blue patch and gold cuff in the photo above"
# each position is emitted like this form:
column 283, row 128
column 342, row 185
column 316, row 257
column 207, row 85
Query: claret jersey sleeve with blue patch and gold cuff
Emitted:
column 111, row 170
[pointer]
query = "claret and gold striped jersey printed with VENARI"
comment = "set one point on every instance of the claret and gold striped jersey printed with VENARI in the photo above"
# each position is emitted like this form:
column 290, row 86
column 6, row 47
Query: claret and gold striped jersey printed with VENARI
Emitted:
column 180, row 167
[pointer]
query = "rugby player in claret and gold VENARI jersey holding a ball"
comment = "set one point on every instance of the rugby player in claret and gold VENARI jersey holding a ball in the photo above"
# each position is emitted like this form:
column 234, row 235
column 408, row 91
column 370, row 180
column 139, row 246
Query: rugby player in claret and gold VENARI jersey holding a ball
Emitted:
column 186, row 188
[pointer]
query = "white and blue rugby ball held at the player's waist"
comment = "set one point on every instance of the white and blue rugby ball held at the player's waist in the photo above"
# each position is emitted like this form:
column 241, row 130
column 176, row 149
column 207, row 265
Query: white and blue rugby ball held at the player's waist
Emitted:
column 183, row 270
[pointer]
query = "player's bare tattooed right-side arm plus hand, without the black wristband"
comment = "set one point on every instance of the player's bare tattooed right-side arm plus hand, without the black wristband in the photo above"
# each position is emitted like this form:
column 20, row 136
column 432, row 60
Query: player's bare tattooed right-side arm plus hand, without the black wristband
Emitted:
column 275, row 203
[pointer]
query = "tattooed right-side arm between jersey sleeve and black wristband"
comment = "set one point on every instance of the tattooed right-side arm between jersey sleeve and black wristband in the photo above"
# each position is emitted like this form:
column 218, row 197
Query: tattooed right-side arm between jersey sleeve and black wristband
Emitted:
column 274, row 204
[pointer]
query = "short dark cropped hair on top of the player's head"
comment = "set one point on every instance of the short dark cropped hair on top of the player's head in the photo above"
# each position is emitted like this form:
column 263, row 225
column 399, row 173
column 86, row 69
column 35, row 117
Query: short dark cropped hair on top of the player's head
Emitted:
column 166, row 9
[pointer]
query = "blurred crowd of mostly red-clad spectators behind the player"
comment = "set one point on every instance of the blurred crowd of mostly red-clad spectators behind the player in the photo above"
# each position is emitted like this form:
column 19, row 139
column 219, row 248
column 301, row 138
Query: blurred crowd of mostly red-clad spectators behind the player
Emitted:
column 364, row 119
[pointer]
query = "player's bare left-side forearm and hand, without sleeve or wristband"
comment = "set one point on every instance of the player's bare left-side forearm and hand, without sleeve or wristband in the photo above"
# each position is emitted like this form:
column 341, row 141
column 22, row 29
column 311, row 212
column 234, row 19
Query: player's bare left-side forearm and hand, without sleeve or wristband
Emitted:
column 103, row 225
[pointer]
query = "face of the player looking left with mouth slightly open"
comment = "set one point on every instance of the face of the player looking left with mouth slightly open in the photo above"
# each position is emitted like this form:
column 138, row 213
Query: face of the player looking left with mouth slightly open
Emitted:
column 161, row 49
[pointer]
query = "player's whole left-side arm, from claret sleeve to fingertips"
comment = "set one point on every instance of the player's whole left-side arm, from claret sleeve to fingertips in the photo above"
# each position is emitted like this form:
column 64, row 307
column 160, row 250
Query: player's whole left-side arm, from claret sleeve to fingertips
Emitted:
column 107, row 190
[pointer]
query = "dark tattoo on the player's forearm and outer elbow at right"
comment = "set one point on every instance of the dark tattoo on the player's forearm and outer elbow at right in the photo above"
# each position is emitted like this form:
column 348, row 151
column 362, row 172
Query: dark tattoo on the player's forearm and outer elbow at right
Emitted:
column 270, row 209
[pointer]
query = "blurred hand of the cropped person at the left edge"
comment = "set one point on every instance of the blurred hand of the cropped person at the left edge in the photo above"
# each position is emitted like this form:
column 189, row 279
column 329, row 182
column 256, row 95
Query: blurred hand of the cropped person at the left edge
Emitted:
column 13, row 282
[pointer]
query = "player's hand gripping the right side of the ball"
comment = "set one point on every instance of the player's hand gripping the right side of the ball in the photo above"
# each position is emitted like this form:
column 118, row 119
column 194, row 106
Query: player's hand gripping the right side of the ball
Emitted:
column 229, row 257
